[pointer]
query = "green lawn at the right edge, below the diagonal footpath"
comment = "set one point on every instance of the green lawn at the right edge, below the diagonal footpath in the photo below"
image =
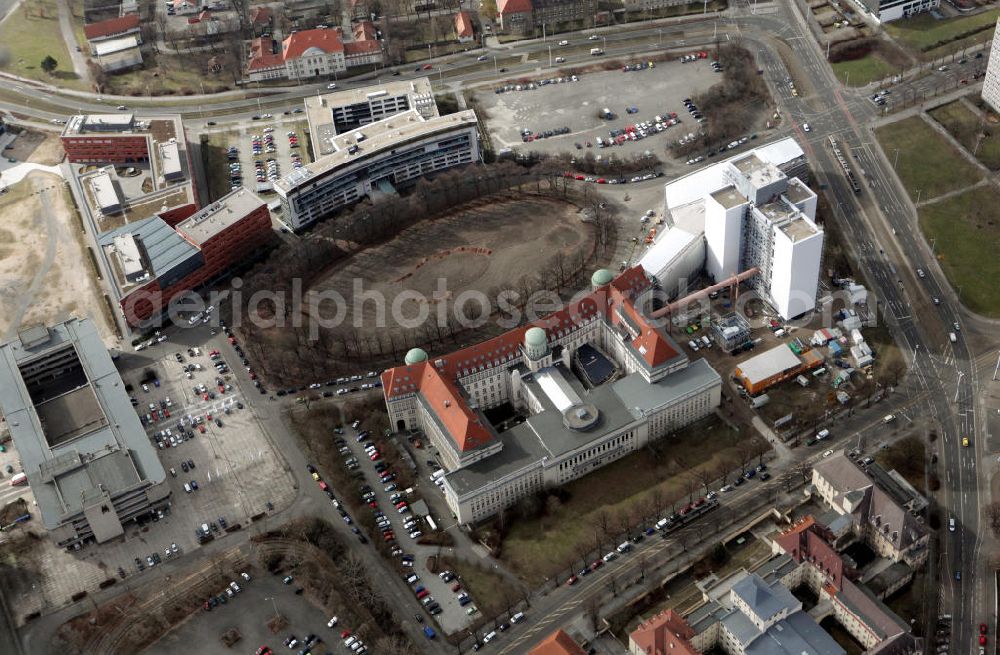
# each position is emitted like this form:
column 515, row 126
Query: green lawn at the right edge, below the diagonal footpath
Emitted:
column 966, row 228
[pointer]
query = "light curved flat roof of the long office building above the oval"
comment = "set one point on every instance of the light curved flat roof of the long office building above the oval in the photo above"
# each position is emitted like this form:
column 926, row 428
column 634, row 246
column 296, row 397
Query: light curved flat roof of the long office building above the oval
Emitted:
column 382, row 135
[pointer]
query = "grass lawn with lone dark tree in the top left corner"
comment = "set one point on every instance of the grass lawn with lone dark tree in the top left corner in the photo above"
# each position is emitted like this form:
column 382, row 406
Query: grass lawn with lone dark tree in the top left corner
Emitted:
column 30, row 33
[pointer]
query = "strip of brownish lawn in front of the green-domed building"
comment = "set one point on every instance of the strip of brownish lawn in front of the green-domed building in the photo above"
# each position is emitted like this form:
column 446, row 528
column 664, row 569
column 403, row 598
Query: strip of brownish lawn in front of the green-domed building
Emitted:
column 542, row 547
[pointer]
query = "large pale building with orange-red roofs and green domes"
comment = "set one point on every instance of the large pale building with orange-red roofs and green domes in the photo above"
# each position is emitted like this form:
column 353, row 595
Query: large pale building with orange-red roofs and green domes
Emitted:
column 593, row 382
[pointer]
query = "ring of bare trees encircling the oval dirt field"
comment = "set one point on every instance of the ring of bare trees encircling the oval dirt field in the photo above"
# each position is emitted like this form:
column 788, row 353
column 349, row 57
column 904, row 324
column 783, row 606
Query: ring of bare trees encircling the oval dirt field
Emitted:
column 300, row 350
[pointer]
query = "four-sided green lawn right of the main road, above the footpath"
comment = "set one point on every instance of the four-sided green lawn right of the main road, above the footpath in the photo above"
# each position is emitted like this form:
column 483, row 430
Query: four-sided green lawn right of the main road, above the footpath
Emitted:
column 926, row 162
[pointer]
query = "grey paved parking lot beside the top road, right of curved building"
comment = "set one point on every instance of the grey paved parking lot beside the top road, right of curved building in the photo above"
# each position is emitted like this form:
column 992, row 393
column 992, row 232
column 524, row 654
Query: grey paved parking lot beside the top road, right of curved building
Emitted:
column 576, row 105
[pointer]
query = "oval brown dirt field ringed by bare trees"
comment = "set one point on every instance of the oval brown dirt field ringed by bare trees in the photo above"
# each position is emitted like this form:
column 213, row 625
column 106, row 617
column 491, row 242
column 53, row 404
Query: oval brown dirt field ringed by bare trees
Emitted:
column 473, row 249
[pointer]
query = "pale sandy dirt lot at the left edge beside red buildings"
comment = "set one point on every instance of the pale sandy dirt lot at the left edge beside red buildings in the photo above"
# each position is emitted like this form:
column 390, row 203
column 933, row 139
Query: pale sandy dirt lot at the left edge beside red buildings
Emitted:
column 42, row 242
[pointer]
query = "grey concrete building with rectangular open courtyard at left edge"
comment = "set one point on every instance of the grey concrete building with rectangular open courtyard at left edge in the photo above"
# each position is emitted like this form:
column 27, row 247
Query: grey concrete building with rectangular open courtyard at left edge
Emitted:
column 89, row 463
